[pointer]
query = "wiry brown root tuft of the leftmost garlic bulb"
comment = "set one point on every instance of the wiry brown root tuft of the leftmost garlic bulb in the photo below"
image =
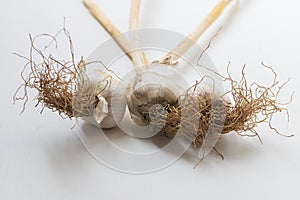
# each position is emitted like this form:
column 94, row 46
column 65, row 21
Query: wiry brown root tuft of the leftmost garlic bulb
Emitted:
column 62, row 86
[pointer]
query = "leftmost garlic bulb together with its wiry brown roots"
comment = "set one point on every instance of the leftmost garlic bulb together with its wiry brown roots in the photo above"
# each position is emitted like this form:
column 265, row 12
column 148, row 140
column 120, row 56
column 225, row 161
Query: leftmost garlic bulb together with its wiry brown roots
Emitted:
column 65, row 87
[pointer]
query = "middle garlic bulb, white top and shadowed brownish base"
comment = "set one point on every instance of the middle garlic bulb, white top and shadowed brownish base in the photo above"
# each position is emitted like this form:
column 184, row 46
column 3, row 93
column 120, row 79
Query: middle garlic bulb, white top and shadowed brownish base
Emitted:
column 153, row 87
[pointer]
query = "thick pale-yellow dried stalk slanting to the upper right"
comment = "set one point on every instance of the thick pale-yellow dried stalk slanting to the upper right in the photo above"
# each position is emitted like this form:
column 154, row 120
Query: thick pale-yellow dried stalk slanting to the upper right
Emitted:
column 172, row 57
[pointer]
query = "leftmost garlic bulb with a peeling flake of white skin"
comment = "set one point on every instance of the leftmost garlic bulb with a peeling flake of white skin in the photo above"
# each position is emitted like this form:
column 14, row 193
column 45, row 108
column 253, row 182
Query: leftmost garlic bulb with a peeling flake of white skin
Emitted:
column 92, row 100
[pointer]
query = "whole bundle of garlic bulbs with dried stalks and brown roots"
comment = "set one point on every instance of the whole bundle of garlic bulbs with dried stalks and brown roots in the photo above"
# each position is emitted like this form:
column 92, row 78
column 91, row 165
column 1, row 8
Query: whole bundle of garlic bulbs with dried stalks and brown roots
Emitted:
column 67, row 87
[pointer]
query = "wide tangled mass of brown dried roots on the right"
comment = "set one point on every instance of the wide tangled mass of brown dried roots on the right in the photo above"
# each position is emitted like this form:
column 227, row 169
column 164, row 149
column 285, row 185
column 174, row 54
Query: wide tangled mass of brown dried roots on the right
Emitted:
column 206, row 113
